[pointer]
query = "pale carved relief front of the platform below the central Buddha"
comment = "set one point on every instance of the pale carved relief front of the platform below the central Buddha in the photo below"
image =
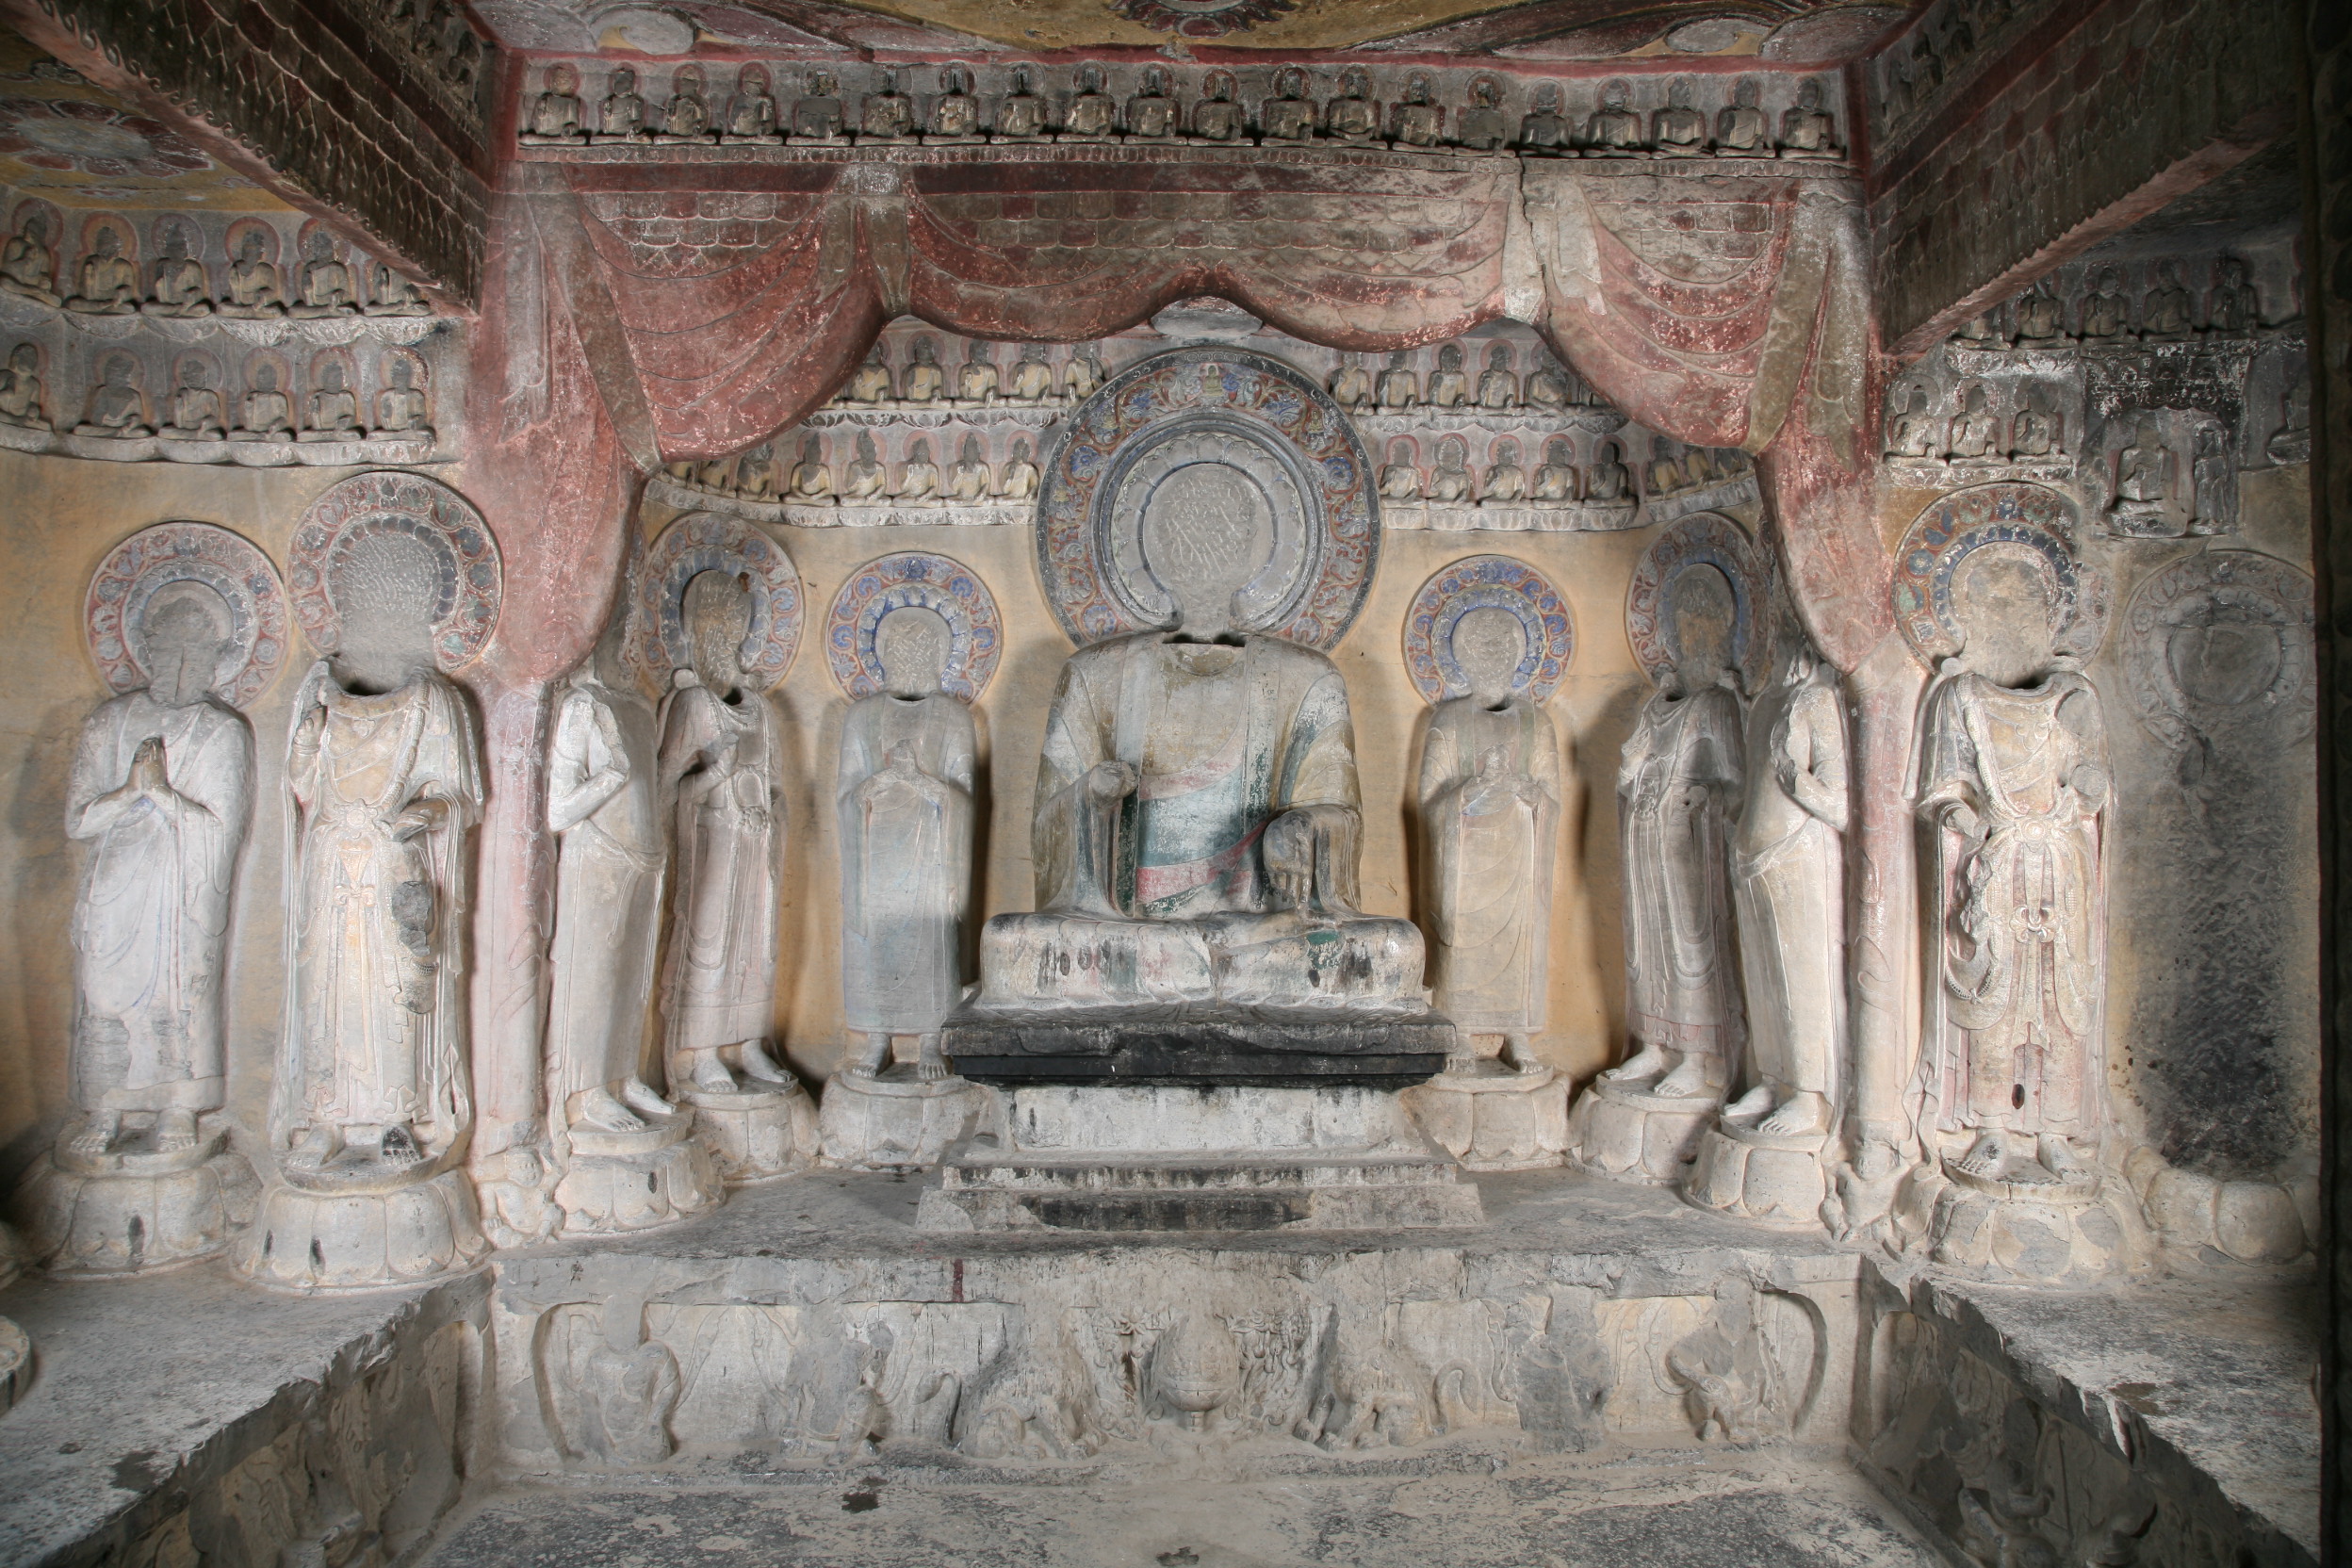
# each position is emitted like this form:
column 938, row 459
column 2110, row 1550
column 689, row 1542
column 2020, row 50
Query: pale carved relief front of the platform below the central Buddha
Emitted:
column 1055, row 1362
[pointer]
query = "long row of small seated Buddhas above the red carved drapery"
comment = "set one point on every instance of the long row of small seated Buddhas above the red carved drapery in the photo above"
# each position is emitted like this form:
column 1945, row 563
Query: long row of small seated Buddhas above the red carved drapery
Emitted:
column 1156, row 112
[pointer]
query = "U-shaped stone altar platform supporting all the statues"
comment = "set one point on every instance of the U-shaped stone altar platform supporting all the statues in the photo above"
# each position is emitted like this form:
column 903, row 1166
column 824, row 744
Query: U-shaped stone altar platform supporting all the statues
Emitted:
column 813, row 1332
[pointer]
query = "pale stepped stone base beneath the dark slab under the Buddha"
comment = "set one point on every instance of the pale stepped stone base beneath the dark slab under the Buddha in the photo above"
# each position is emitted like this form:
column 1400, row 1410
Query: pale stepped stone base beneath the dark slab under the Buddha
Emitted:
column 1201, row 1160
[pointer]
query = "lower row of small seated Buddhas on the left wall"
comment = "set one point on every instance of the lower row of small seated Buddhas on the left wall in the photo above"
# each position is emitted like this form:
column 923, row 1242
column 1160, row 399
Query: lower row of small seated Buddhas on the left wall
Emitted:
column 201, row 410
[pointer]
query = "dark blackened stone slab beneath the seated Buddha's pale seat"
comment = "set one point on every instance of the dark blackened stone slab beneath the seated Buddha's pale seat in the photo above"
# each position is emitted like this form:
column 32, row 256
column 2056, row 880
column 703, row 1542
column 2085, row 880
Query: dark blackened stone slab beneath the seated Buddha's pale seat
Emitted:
column 1196, row 1045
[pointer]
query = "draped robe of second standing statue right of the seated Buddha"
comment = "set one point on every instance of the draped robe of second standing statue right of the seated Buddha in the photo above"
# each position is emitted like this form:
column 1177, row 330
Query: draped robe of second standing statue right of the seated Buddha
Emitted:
column 1678, row 777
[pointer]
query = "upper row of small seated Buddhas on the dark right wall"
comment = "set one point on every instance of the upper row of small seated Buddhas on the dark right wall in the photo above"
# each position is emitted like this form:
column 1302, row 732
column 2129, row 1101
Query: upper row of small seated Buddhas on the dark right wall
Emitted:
column 2104, row 309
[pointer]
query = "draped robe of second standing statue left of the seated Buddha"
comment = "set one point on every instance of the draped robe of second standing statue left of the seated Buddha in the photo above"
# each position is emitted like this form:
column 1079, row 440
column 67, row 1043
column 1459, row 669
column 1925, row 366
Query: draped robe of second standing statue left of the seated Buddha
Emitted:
column 721, row 977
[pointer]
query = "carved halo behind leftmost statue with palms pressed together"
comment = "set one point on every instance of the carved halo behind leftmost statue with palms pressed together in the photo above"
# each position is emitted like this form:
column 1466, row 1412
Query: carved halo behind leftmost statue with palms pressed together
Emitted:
column 131, row 577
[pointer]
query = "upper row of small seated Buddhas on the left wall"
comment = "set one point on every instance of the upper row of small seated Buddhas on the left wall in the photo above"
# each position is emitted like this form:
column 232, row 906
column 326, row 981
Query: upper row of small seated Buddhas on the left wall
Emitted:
column 109, row 279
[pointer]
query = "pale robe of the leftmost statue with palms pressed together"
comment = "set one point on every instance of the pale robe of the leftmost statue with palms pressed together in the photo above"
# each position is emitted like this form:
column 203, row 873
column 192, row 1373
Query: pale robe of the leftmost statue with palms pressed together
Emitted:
column 152, row 923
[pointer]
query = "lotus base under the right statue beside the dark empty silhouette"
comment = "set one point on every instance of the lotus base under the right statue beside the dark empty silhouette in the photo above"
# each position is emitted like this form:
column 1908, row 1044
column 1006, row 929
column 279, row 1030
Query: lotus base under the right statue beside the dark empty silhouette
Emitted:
column 2045, row 1233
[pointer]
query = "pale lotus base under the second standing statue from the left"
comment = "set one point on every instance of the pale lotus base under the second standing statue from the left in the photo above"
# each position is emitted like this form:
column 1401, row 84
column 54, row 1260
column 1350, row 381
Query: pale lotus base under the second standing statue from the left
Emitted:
column 363, row 1240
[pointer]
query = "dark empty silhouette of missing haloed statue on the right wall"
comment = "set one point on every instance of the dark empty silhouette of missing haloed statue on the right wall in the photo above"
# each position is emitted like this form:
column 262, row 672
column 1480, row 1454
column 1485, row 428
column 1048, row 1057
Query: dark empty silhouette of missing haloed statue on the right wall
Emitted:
column 2219, row 777
